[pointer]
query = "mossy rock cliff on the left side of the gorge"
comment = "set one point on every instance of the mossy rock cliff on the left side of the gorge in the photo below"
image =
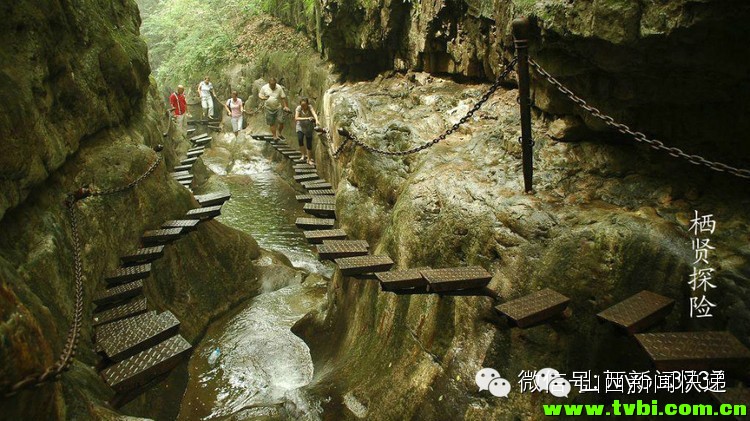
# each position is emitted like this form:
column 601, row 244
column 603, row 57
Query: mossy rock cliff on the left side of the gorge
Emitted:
column 78, row 108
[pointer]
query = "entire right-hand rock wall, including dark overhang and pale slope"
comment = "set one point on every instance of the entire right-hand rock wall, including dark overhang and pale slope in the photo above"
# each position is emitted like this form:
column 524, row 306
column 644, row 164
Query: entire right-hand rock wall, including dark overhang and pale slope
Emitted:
column 607, row 219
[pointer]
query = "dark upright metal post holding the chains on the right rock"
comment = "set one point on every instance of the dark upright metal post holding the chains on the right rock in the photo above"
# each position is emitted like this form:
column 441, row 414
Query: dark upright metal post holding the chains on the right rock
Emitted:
column 521, row 32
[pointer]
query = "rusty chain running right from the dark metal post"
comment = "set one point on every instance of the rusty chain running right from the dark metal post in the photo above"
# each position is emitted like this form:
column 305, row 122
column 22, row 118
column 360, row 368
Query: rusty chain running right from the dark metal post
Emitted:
column 638, row 136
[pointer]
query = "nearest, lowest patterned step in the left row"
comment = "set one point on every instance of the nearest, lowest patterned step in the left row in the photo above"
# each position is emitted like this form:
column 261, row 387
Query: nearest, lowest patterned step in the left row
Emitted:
column 142, row 367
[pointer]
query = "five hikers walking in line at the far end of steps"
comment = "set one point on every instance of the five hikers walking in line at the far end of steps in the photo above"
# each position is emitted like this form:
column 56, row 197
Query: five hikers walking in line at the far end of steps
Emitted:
column 275, row 106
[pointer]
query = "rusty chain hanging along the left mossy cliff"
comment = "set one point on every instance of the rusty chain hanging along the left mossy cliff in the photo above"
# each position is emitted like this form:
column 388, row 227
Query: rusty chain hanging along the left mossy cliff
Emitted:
column 63, row 362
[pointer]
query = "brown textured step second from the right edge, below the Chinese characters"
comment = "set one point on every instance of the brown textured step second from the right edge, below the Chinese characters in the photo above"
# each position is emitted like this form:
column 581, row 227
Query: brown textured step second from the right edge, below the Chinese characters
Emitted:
column 638, row 312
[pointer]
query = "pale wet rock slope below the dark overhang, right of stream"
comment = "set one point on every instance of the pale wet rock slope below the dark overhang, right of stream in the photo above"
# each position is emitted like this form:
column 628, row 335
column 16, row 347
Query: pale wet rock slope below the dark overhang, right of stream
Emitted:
column 605, row 221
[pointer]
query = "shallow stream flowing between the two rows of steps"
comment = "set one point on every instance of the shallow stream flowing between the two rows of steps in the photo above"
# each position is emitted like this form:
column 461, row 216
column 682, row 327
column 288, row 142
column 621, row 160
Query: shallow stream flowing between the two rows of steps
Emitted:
column 250, row 365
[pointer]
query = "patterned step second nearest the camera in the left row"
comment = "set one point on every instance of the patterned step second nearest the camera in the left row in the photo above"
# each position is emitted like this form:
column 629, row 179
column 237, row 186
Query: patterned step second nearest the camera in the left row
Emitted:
column 135, row 336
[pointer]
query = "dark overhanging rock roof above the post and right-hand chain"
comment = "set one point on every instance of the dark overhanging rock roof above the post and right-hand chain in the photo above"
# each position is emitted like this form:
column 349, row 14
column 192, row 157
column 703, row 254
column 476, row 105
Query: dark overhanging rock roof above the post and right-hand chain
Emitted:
column 674, row 69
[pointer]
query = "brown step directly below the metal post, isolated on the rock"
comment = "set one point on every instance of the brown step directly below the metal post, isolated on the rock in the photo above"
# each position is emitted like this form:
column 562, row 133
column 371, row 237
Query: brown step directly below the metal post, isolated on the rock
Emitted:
column 534, row 308
